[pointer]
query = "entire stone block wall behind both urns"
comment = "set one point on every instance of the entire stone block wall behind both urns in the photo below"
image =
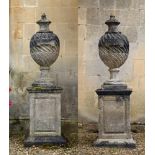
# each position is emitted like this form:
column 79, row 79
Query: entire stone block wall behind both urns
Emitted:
column 79, row 24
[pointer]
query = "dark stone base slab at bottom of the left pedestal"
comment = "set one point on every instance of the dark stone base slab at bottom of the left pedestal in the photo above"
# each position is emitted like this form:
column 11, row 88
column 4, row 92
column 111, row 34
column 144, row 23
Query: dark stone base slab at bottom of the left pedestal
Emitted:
column 41, row 140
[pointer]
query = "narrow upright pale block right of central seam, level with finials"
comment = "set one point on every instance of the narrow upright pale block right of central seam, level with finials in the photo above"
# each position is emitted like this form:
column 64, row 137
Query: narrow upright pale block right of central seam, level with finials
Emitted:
column 82, row 12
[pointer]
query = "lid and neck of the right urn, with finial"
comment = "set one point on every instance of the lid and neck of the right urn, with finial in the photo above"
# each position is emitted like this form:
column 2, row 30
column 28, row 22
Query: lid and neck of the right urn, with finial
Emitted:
column 112, row 24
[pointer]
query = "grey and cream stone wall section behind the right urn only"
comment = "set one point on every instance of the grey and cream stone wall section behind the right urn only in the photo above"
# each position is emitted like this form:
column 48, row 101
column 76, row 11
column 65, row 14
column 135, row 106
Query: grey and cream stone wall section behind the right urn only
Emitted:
column 92, row 15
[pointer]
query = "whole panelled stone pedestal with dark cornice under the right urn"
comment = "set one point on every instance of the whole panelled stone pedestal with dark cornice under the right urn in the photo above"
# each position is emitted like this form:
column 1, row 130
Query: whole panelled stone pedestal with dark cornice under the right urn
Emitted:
column 114, row 116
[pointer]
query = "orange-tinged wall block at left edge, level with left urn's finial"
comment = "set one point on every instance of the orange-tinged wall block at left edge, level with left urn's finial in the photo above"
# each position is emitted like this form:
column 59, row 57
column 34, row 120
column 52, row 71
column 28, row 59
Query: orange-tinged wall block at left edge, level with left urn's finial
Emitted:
column 23, row 15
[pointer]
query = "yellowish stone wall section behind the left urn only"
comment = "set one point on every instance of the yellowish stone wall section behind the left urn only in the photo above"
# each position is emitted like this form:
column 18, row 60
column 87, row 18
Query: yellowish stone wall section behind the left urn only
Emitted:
column 23, row 70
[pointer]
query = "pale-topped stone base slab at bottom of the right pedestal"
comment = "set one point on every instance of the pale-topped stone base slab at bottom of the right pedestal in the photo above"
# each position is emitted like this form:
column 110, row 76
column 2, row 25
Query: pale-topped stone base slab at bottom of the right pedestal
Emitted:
column 130, row 143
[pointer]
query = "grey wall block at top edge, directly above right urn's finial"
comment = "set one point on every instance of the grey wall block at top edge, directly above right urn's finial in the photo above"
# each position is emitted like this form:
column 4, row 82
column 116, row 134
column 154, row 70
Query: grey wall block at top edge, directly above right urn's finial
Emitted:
column 110, row 4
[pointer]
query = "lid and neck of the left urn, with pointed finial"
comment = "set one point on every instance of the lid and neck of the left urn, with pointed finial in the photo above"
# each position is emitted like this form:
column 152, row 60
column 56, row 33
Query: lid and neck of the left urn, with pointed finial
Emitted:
column 44, row 23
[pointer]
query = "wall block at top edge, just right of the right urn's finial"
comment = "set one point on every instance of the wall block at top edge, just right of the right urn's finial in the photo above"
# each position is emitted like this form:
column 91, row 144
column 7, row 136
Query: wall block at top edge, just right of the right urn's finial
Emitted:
column 122, row 4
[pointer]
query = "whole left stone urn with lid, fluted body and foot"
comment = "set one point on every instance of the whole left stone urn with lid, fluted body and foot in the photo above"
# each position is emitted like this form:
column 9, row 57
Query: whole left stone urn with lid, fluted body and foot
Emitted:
column 44, row 49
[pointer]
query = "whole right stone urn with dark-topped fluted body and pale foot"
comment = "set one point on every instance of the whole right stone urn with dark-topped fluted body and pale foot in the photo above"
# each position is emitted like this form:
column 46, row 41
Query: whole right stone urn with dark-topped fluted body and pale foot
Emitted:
column 113, row 49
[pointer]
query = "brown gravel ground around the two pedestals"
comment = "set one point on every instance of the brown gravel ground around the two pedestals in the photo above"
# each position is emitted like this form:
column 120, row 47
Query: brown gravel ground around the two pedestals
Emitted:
column 84, row 147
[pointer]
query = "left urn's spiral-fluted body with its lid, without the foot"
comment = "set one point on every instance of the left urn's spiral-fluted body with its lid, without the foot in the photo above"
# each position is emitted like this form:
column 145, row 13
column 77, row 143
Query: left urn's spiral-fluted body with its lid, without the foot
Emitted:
column 44, row 45
